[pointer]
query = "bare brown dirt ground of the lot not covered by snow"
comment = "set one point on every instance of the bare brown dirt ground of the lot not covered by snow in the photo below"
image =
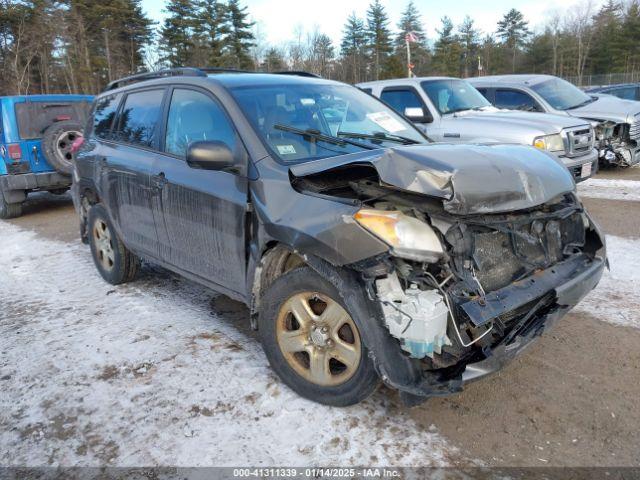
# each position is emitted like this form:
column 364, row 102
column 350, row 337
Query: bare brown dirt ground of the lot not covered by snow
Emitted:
column 571, row 400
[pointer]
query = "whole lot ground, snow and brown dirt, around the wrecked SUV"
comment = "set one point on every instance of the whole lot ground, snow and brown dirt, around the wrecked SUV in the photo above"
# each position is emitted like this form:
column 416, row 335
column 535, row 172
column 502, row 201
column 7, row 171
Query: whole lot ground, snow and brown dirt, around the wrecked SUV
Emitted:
column 164, row 372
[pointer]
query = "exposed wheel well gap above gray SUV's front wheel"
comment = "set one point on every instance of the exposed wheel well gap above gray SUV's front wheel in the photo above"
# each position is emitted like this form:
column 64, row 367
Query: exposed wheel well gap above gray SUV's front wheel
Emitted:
column 275, row 261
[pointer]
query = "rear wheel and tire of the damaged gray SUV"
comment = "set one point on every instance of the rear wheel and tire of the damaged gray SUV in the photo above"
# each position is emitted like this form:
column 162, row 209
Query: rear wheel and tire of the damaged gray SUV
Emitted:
column 113, row 260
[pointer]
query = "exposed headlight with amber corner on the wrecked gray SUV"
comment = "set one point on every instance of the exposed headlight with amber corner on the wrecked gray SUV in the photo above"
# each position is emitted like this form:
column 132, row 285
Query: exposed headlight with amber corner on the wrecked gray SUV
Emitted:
column 407, row 236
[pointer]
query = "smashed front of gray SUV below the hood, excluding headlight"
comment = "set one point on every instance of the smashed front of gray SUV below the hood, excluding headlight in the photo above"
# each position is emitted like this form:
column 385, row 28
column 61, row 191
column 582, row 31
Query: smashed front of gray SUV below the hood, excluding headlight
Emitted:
column 499, row 281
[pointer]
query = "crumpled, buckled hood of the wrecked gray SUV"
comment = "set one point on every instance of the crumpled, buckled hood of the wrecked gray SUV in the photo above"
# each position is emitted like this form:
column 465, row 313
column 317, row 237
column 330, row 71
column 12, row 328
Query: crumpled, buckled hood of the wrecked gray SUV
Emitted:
column 470, row 179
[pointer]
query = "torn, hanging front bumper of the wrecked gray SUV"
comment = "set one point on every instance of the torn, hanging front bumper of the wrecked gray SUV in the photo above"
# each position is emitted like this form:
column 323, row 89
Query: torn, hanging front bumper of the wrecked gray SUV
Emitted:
column 564, row 285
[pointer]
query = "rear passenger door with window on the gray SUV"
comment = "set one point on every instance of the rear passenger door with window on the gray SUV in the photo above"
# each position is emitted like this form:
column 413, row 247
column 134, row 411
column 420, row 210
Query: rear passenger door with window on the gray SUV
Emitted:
column 127, row 163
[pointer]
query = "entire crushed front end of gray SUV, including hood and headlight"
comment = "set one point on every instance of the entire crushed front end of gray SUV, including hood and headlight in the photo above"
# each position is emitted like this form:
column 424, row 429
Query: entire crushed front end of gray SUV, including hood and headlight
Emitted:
column 488, row 246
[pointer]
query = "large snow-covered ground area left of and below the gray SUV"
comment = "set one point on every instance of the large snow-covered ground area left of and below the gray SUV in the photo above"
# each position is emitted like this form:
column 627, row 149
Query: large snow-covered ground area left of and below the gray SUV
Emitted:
column 151, row 374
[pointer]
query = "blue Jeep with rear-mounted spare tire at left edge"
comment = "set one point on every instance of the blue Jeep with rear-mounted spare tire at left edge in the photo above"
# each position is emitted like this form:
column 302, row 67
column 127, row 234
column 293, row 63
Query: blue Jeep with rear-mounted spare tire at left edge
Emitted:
column 36, row 135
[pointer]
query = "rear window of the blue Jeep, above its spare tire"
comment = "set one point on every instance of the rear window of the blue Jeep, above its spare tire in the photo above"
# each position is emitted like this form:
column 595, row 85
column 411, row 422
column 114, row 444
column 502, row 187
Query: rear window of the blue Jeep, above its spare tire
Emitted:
column 35, row 117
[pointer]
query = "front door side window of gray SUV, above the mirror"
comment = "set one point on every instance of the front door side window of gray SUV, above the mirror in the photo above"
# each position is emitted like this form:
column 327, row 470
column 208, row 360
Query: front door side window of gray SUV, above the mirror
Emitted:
column 194, row 116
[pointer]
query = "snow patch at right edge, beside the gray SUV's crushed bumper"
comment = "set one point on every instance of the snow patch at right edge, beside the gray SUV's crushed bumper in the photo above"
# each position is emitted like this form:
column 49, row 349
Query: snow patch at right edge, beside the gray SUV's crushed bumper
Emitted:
column 616, row 299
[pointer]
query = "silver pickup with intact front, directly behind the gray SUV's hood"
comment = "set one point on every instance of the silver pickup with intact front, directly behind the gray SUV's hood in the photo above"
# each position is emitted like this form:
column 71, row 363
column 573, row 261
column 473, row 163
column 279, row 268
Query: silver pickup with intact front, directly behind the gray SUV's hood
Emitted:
column 452, row 110
